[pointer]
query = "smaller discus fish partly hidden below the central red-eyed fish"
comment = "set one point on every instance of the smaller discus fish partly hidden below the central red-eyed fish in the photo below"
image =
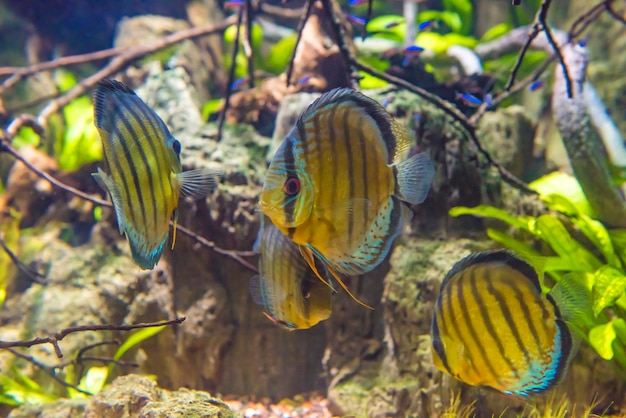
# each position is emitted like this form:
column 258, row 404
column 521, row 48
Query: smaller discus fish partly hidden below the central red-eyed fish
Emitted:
column 286, row 287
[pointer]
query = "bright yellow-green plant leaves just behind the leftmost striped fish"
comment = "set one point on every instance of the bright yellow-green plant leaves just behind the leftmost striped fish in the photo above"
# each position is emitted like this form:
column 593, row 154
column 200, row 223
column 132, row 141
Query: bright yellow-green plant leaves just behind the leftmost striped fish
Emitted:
column 72, row 138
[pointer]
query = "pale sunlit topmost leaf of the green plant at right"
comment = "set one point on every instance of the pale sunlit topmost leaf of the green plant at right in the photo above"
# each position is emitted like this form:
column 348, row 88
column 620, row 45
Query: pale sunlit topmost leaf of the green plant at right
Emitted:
column 565, row 185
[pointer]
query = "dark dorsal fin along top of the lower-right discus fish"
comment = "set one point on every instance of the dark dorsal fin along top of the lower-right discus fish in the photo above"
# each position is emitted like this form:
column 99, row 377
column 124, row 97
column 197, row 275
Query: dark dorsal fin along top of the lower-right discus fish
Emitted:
column 503, row 257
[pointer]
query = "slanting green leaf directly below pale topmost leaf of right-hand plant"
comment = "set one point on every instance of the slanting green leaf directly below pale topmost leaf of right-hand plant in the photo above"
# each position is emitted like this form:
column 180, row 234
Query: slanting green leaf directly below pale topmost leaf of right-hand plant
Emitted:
column 552, row 230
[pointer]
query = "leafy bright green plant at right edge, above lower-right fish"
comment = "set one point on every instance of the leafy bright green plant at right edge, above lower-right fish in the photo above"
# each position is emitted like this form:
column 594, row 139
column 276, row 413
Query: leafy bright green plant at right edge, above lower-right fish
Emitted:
column 575, row 247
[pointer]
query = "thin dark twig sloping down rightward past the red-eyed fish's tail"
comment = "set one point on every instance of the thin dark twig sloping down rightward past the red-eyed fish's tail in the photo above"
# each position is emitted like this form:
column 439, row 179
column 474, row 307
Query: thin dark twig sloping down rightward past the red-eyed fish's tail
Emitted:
column 452, row 111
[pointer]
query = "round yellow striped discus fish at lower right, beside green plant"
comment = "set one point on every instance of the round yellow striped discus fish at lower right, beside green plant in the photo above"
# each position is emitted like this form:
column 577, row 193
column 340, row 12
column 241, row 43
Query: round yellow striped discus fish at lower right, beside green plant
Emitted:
column 493, row 327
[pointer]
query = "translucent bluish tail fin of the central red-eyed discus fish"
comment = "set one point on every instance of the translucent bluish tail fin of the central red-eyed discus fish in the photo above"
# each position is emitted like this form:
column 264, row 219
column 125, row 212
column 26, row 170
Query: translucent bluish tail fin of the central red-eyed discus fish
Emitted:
column 414, row 177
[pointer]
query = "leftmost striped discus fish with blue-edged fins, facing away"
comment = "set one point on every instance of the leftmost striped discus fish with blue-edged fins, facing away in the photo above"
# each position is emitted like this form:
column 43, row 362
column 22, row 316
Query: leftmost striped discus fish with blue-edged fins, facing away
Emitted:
column 145, row 177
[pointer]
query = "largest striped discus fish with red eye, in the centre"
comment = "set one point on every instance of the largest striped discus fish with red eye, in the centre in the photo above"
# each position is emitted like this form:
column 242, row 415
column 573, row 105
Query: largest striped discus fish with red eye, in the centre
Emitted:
column 337, row 183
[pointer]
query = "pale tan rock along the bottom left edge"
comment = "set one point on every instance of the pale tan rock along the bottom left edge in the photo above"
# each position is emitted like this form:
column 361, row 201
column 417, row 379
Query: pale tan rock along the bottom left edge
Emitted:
column 133, row 396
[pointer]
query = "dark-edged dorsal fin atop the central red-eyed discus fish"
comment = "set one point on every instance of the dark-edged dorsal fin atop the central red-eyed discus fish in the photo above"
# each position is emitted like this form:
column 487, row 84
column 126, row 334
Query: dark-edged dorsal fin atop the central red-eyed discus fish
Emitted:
column 396, row 138
